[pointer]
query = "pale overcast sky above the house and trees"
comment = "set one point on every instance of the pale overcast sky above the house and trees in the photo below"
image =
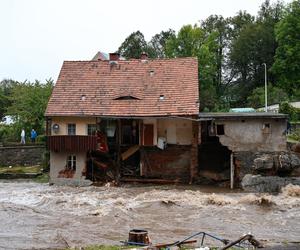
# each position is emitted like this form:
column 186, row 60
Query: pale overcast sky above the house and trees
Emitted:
column 38, row 35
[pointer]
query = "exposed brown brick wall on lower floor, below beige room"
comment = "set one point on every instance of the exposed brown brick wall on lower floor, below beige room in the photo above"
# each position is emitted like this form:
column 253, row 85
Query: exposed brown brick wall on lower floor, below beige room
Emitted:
column 170, row 163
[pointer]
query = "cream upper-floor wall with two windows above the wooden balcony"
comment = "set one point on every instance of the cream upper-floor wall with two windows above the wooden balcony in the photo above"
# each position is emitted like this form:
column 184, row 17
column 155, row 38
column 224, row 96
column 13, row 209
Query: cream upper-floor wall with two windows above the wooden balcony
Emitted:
column 81, row 124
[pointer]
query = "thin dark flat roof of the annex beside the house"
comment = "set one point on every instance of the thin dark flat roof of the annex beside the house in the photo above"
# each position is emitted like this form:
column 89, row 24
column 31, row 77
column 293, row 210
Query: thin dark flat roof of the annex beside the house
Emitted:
column 248, row 115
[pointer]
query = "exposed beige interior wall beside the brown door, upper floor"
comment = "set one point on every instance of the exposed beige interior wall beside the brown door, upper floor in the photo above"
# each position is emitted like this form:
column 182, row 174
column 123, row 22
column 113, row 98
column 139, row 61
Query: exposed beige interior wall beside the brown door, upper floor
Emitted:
column 176, row 131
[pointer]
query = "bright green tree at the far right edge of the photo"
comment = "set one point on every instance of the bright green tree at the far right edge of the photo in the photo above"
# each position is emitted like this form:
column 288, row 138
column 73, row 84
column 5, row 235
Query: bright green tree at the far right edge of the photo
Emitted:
column 286, row 66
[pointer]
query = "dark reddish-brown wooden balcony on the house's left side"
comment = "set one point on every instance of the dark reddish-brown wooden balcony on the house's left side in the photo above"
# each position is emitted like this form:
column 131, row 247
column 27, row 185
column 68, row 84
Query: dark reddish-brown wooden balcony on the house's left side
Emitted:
column 71, row 143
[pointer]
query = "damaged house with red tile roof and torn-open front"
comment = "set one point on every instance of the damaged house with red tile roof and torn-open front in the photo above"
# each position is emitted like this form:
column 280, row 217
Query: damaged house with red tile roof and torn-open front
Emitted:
column 124, row 120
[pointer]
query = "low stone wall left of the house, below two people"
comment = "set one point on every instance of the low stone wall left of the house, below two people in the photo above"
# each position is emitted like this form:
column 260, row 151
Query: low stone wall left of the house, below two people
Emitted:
column 22, row 155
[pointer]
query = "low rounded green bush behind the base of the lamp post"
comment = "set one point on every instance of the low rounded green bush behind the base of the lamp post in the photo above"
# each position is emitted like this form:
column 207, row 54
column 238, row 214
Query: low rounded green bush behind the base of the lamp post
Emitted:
column 275, row 95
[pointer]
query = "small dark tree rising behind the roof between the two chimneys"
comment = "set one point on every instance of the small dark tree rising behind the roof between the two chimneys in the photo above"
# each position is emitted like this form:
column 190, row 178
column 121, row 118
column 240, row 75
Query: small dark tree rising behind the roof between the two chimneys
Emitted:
column 133, row 46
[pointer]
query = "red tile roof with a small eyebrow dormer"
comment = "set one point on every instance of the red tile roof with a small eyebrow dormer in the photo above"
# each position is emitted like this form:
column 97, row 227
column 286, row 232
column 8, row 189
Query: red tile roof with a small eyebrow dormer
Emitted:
column 89, row 88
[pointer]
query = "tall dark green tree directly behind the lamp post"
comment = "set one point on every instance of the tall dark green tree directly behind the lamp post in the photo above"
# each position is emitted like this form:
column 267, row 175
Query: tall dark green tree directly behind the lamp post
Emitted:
column 253, row 44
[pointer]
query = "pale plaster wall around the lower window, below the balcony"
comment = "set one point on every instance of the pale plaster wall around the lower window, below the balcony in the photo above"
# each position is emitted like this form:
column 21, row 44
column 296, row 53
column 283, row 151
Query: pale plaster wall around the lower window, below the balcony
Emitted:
column 58, row 162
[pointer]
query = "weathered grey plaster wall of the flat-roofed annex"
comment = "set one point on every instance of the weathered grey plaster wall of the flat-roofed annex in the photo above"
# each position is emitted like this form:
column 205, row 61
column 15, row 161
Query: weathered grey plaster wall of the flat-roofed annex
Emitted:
column 250, row 135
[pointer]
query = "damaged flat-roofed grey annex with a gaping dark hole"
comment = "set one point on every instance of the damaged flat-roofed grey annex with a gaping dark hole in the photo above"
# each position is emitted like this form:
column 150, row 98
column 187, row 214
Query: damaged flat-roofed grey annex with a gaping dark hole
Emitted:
column 233, row 145
